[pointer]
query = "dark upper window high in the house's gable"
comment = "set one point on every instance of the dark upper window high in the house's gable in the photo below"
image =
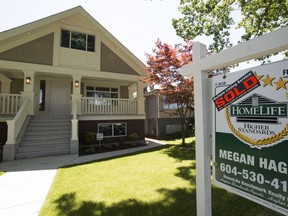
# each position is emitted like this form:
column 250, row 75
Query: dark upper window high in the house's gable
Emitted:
column 77, row 40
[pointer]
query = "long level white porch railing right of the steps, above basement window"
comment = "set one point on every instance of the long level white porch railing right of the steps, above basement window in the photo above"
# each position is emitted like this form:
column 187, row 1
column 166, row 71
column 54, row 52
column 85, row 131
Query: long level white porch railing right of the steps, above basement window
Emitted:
column 108, row 106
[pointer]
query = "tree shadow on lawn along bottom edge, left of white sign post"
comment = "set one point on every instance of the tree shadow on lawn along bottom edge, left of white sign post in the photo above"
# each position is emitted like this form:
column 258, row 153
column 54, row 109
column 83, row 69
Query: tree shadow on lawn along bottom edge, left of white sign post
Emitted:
column 175, row 202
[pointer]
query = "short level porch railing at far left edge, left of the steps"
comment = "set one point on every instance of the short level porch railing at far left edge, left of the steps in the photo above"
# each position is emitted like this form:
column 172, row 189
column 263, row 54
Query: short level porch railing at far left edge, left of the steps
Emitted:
column 10, row 103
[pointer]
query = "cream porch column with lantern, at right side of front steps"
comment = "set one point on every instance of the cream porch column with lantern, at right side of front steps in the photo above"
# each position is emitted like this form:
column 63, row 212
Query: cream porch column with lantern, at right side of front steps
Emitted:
column 76, row 110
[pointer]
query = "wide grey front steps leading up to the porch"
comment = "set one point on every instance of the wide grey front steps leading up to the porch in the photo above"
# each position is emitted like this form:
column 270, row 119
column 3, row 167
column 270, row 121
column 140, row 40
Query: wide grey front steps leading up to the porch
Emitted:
column 45, row 136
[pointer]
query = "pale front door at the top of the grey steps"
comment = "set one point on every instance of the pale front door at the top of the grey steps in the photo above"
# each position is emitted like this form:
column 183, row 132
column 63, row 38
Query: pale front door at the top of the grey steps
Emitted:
column 59, row 100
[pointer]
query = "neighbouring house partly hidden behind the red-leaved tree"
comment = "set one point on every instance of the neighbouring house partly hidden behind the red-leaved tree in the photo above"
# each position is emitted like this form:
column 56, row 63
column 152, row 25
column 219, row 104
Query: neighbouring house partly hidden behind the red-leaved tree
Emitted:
column 161, row 118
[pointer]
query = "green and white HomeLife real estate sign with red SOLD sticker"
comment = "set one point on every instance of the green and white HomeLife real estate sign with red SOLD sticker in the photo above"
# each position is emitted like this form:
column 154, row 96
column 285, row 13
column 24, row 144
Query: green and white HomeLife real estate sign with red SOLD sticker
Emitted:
column 250, row 142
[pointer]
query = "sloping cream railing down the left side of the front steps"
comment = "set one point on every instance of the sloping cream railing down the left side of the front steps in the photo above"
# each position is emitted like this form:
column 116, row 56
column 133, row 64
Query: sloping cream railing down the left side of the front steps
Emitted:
column 15, row 125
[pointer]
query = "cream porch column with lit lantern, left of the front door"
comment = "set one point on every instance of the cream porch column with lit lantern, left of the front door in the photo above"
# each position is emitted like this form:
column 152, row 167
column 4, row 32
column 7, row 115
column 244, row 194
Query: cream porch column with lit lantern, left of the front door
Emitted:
column 28, row 90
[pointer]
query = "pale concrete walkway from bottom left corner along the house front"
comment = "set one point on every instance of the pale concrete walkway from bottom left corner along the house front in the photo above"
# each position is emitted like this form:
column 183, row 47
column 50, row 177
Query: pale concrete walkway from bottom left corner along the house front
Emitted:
column 24, row 186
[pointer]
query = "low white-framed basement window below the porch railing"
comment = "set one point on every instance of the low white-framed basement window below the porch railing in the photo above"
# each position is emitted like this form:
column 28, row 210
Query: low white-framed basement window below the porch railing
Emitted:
column 113, row 129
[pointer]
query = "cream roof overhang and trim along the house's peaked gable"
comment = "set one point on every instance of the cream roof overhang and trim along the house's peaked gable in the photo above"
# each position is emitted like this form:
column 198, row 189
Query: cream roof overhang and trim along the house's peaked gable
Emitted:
column 82, row 16
